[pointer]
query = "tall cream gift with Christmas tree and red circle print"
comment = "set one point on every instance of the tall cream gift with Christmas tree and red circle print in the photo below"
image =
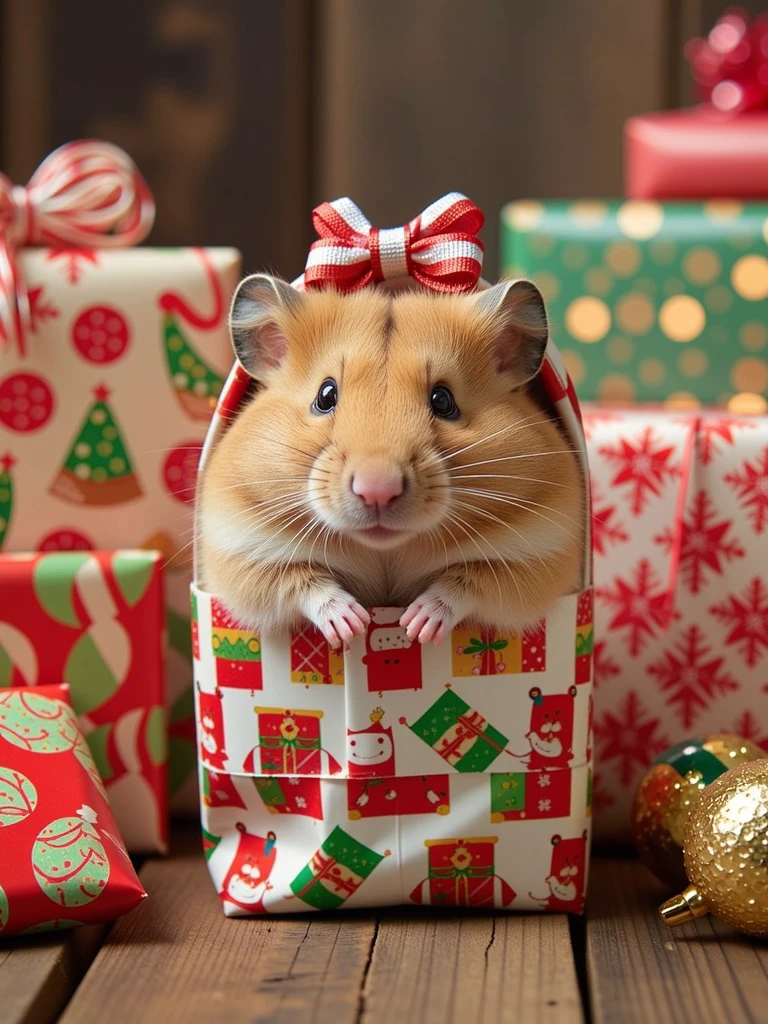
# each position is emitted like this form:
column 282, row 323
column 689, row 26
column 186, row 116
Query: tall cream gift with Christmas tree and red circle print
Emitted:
column 103, row 417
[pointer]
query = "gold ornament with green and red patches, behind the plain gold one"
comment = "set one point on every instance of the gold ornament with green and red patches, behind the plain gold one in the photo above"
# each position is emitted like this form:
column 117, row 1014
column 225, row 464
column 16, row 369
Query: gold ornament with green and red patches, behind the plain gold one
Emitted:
column 669, row 791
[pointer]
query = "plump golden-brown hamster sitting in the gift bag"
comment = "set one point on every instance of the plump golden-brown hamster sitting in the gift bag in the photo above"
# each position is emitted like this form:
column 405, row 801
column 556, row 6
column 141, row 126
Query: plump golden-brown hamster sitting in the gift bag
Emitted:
column 393, row 455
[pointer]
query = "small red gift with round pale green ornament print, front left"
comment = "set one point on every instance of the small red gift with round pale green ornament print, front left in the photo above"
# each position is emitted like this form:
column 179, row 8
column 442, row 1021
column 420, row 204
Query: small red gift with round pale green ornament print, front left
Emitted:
column 64, row 863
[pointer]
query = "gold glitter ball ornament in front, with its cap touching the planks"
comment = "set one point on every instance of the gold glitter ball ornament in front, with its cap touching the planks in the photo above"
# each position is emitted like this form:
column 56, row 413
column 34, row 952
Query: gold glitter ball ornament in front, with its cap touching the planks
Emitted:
column 727, row 854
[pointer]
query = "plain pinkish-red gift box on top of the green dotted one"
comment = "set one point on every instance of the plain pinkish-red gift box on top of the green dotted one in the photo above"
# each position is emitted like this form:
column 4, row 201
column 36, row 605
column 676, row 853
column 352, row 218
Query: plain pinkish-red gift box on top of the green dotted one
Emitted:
column 700, row 154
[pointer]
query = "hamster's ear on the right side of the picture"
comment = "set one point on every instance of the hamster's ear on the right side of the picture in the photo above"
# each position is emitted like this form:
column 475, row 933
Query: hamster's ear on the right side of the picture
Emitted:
column 520, row 320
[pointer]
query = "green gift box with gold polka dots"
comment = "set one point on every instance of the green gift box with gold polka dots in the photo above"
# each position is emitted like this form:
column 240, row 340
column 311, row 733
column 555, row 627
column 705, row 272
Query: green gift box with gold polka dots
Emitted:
column 662, row 303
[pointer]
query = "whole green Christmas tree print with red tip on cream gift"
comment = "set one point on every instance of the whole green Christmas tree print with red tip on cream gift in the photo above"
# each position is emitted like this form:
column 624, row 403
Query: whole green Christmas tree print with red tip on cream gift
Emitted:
column 98, row 471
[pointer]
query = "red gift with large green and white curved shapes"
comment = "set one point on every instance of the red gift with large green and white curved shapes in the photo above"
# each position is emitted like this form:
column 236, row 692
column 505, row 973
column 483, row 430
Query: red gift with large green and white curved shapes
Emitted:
column 95, row 621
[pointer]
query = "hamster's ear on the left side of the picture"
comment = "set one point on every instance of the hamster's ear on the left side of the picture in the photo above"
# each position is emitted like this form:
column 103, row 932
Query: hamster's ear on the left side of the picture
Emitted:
column 261, row 308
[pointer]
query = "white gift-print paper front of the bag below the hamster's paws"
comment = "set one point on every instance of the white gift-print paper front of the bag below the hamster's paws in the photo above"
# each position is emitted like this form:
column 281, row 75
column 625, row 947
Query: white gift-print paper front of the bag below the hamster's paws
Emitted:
column 438, row 776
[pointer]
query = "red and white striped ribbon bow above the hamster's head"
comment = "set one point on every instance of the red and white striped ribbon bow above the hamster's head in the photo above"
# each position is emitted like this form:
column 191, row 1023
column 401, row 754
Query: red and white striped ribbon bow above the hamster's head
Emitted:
column 440, row 248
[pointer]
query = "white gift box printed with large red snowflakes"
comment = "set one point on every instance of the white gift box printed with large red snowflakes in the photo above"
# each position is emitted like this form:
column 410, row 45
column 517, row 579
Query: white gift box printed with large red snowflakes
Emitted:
column 680, row 520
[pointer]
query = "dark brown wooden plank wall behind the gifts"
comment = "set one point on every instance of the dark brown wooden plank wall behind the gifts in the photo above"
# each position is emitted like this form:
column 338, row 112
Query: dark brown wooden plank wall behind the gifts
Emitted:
column 243, row 114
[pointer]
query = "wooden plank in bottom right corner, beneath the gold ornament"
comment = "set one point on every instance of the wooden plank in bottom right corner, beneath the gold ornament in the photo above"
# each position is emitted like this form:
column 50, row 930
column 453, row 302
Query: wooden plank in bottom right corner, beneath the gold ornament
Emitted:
column 641, row 970
